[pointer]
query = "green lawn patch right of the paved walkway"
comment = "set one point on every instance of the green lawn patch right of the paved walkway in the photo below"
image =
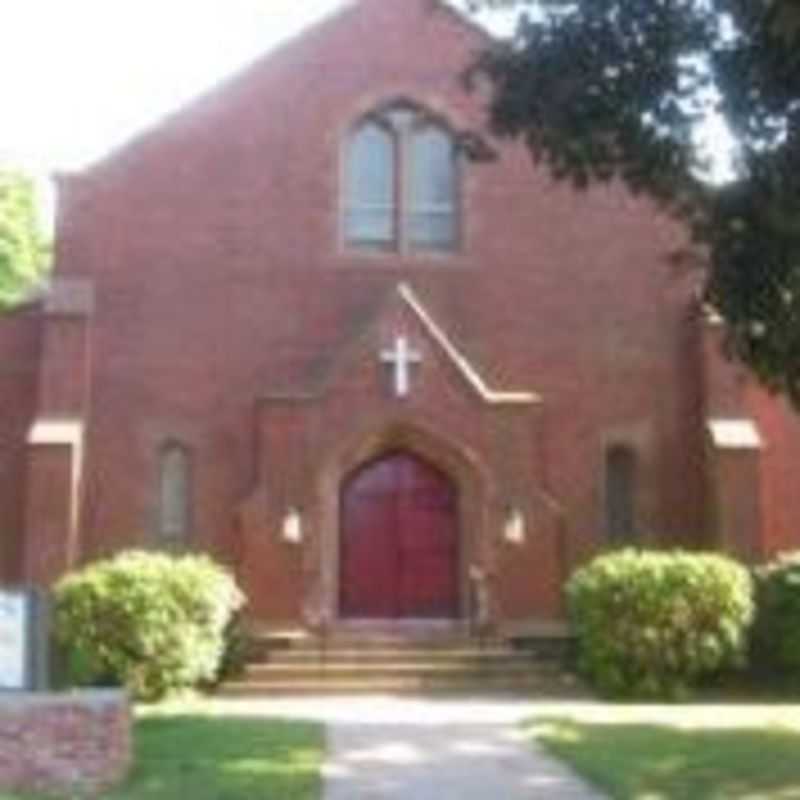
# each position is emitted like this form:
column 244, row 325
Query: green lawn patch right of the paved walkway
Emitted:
column 655, row 762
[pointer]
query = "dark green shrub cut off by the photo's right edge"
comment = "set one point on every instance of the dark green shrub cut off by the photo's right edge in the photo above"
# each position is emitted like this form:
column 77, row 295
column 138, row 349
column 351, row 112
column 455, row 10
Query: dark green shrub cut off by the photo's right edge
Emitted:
column 777, row 637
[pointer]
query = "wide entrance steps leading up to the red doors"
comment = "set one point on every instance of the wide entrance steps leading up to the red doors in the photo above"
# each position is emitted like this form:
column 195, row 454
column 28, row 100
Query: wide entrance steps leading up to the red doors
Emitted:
column 387, row 663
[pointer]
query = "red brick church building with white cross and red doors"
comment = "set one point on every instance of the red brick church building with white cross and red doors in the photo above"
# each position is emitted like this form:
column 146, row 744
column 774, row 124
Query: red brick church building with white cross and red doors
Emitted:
column 323, row 326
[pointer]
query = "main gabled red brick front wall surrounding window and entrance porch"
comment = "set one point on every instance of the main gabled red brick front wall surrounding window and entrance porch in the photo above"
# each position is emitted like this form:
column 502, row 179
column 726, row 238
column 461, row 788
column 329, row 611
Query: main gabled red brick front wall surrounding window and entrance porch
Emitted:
column 220, row 275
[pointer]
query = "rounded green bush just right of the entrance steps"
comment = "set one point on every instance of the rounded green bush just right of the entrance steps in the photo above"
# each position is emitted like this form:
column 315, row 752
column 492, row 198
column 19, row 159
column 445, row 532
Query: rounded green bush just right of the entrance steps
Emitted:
column 652, row 624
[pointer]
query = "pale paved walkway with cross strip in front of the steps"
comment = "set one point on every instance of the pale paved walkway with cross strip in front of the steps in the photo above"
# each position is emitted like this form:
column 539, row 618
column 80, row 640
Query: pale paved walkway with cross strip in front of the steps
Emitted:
column 415, row 749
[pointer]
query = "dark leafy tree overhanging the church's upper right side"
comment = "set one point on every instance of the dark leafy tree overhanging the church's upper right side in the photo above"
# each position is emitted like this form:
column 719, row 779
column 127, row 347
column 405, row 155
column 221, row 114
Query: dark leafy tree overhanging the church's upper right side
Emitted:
column 604, row 90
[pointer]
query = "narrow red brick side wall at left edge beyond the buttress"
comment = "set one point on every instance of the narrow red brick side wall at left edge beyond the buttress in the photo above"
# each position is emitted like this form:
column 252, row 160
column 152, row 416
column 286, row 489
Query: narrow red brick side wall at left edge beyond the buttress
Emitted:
column 20, row 340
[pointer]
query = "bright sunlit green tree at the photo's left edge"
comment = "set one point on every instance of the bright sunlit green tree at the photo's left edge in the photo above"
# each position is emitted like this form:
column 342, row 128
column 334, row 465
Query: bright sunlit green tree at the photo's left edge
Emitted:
column 23, row 250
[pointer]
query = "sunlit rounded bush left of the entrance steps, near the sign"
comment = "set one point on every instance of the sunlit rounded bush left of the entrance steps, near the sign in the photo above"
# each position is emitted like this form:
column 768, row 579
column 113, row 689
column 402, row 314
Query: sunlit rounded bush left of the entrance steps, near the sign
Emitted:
column 148, row 621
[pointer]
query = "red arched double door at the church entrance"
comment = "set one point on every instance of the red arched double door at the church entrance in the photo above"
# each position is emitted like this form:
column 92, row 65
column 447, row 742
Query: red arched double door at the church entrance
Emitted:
column 399, row 547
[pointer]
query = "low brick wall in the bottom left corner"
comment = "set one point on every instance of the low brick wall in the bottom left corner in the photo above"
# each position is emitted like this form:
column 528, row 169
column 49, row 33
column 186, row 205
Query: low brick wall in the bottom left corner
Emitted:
column 64, row 744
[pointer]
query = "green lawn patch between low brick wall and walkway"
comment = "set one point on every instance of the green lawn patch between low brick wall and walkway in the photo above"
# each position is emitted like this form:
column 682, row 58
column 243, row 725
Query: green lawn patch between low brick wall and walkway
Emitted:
column 202, row 756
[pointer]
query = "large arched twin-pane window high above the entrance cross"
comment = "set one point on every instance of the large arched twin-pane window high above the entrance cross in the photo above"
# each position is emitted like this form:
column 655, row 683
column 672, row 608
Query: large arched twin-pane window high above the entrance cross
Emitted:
column 401, row 183
